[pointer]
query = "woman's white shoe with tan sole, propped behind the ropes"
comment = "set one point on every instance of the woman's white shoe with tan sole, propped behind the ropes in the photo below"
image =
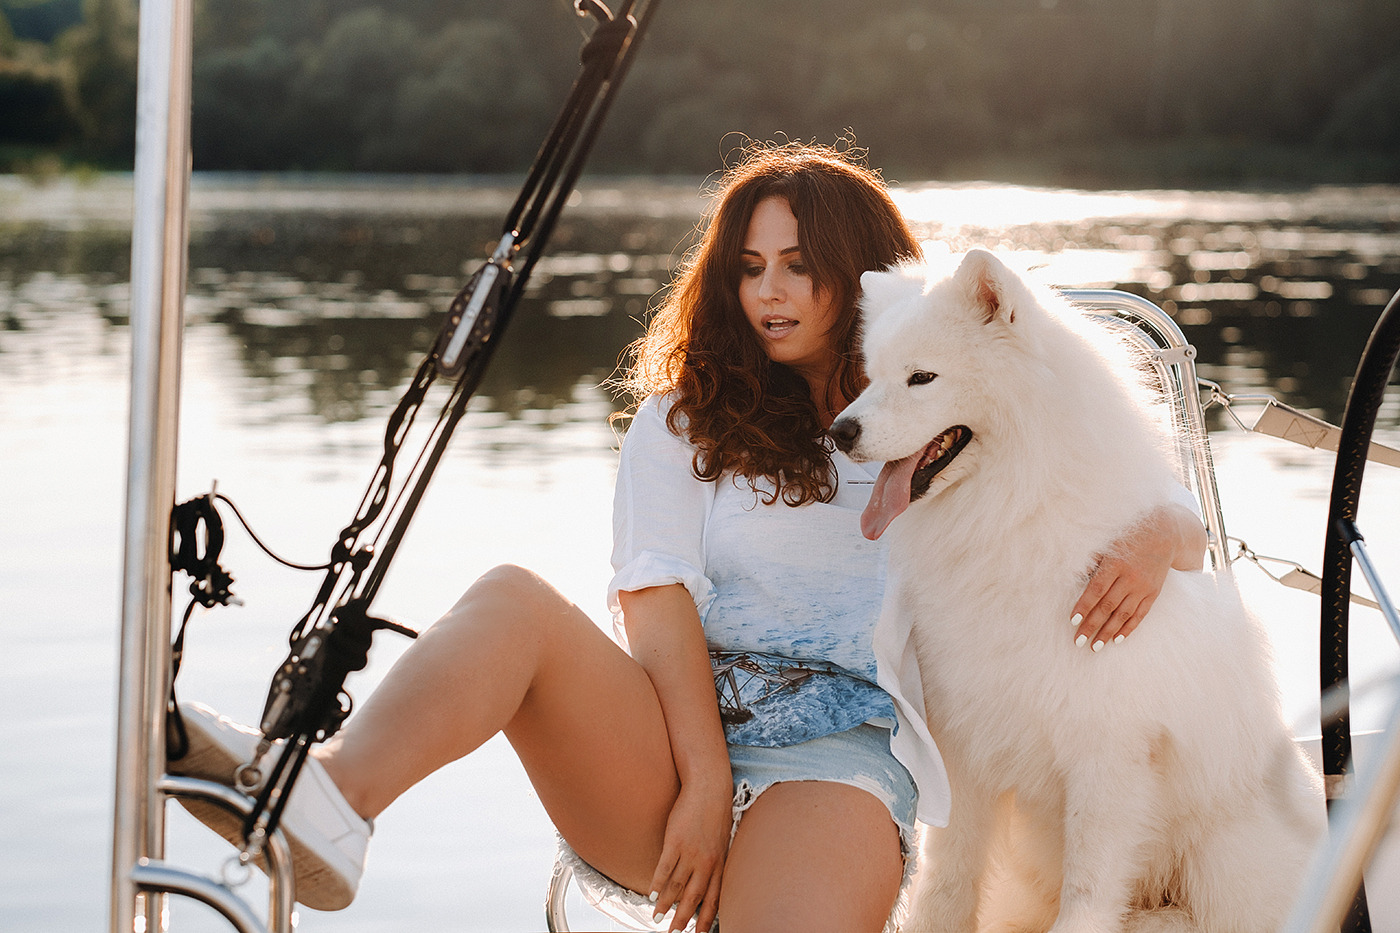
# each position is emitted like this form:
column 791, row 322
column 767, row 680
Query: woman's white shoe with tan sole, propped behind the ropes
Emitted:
column 328, row 838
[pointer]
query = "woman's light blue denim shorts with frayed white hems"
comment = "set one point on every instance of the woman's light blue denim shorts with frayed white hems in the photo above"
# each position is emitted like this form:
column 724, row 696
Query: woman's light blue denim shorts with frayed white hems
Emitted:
column 859, row 757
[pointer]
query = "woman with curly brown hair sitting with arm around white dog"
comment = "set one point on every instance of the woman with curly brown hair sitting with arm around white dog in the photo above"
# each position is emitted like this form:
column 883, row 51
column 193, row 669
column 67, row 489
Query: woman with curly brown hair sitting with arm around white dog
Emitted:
column 740, row 567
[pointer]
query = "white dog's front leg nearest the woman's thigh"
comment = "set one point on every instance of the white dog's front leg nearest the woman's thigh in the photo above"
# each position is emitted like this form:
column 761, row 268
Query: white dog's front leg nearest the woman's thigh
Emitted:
column 953, row 864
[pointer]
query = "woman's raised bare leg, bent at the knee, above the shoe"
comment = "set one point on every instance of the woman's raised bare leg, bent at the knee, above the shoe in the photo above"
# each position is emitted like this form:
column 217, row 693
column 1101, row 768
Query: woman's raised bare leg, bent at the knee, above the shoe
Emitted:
column 514, row 655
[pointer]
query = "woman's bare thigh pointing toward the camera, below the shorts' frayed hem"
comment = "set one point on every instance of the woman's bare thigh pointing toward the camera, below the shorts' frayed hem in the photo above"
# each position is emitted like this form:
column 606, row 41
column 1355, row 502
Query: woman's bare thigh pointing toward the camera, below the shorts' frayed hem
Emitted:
column 813, row 857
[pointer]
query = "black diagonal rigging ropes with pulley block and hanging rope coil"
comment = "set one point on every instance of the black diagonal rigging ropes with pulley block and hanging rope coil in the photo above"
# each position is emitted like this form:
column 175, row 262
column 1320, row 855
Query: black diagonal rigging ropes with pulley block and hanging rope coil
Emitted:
column 307, row 701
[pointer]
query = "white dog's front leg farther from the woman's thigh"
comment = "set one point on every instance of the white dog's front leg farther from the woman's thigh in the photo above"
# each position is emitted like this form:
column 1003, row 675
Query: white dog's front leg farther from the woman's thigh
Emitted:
column 1111, row 798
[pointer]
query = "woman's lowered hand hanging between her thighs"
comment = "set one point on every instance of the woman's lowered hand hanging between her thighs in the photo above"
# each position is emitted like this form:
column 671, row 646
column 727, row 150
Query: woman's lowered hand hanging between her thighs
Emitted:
column 692, row 857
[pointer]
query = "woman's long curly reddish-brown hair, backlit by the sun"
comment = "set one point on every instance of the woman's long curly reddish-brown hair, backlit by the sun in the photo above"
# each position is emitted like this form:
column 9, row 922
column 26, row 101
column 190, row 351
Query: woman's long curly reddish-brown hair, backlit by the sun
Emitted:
column 741, row 411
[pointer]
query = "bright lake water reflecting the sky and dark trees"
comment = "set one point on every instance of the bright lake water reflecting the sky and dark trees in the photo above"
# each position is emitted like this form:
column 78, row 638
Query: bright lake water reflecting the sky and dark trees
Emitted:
column 311, row 302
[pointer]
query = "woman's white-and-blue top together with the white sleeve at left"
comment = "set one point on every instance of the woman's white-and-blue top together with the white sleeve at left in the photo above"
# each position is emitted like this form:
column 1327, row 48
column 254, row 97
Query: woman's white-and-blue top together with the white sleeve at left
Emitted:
column 789, row 597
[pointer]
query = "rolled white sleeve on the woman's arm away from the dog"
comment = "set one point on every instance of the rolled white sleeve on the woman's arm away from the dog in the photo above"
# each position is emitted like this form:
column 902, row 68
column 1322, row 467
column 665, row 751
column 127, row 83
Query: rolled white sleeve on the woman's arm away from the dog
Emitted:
column 660, row 513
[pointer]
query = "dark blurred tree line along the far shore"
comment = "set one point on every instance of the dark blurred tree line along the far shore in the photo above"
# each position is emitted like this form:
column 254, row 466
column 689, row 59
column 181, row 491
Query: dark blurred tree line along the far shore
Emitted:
column 933, row 88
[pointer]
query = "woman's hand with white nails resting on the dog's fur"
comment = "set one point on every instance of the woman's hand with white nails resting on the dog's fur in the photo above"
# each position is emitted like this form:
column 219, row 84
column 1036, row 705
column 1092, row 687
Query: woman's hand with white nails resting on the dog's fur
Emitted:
column 1130, row 575
